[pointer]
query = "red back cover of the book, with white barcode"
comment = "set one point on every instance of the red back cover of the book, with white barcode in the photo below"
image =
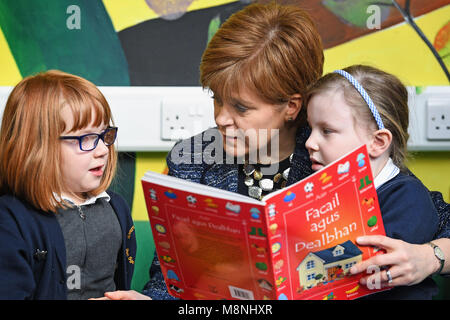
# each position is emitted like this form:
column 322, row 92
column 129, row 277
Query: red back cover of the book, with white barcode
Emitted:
column 203, row 237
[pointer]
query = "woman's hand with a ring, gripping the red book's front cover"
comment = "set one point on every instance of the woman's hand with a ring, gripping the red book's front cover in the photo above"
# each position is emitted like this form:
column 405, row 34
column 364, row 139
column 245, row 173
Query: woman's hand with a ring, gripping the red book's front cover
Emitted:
column 407, row 263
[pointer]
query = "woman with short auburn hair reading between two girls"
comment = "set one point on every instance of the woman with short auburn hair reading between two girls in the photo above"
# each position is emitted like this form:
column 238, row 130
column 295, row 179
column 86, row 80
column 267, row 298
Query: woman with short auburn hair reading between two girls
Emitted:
column 259, row 66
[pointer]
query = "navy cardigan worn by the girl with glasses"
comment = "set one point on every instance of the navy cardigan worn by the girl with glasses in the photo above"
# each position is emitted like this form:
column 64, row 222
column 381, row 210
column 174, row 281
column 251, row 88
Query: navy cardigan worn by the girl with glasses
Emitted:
column 33, row 253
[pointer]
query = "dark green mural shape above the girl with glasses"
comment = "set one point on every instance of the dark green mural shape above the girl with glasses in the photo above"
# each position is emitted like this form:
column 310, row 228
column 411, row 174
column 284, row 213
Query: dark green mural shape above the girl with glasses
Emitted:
column 76, row 38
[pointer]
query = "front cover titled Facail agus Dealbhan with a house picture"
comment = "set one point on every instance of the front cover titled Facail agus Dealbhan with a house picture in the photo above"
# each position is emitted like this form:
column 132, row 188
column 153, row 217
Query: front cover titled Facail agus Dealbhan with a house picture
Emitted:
column 313, row 230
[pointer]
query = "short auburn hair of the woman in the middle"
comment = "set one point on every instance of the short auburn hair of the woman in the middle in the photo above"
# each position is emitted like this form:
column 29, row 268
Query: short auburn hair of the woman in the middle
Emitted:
column 273, row 50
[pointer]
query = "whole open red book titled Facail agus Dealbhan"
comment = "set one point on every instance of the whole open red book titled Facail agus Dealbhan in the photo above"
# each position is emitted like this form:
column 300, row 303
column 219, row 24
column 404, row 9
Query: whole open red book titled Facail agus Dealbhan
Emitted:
column 297, row 243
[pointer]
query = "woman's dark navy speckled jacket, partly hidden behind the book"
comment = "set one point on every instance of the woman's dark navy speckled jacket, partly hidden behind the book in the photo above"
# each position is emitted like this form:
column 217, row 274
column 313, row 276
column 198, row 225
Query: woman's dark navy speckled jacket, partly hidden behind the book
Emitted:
column 191, row 159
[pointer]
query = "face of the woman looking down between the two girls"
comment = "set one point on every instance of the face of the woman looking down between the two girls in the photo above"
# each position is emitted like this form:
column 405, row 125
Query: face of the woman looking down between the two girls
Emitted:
column 248, row 124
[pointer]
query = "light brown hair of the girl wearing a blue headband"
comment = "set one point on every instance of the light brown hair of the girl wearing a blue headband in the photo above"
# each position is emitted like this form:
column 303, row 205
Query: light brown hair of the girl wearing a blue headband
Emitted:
column 389, row 96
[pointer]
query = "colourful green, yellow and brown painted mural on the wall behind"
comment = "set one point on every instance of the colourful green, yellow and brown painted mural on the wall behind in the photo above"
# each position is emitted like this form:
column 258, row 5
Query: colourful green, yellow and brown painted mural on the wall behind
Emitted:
column 160, row 42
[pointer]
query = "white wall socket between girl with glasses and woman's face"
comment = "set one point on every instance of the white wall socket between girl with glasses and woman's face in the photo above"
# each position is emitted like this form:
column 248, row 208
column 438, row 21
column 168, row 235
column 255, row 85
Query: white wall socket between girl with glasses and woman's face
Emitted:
column 182, row 118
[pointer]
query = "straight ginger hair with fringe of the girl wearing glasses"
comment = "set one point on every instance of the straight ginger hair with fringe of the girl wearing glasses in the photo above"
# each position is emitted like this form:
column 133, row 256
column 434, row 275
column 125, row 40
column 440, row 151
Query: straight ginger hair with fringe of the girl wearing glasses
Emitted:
column 30, row 131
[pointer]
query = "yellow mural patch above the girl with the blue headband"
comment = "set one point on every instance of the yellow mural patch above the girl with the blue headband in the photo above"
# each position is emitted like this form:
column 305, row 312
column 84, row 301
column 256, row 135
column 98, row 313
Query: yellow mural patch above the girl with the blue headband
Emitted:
column 398, row 50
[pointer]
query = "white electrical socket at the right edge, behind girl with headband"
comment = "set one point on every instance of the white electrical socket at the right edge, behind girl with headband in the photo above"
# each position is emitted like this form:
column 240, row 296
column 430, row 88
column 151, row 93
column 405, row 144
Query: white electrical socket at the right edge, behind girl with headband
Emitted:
column 438, row 119
